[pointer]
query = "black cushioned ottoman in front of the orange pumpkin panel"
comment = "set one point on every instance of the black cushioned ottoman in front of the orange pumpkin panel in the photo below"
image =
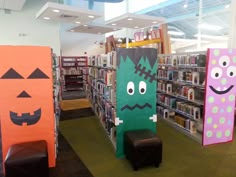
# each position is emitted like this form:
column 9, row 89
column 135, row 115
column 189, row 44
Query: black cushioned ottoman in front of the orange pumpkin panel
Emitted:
column 28, row 159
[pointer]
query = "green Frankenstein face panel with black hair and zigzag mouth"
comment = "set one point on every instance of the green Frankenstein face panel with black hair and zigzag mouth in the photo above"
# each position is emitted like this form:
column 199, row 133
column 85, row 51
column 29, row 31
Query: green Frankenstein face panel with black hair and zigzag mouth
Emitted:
column 136, row 92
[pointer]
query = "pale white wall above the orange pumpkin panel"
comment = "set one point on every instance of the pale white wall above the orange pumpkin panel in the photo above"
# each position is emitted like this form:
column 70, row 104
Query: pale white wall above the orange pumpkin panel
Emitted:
column 22, row 28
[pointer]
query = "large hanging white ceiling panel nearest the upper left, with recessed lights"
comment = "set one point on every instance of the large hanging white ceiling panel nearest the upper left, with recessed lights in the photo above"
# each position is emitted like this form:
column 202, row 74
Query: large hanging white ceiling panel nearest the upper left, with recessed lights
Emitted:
column 67, row 14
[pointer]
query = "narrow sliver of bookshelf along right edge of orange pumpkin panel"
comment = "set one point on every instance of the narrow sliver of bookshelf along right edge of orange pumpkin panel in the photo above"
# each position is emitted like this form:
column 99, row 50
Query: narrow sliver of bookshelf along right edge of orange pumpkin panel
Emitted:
column 56, row 96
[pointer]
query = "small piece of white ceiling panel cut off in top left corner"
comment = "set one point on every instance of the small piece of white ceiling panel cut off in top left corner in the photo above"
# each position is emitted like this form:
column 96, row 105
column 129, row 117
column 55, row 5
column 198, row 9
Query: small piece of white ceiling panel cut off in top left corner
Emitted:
column 12, row 4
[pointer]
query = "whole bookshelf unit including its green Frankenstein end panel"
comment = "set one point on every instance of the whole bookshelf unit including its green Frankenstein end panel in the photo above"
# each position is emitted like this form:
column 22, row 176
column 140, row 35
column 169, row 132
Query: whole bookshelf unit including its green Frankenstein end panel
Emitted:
column 122, row 90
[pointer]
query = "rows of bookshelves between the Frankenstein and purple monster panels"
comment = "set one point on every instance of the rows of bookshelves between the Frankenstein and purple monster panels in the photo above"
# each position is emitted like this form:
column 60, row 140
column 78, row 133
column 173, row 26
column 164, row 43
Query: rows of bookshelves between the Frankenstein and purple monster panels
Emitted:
column 180, row 91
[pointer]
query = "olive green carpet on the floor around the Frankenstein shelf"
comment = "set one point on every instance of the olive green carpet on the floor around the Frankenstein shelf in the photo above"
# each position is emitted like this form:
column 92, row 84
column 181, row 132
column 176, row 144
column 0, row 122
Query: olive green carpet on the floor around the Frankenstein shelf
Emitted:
column 181, row 155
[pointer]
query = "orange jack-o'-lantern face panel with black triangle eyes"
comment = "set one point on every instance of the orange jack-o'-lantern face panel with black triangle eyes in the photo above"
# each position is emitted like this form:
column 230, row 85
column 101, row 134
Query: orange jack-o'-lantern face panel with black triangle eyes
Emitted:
column 26, row 97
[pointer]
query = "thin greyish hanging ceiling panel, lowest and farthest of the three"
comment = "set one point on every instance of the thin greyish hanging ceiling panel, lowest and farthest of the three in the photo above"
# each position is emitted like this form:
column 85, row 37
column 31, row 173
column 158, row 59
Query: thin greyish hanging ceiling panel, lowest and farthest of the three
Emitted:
column 92, row 29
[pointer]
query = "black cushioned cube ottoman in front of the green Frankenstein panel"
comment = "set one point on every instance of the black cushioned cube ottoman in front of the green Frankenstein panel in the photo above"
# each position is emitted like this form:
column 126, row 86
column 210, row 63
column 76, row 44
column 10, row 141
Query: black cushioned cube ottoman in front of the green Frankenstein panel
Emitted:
column 142, row 147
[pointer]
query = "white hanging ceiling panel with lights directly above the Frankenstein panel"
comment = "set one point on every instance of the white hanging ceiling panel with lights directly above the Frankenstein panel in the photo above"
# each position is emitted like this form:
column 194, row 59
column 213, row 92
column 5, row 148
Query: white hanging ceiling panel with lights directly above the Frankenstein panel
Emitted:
column 135, row 21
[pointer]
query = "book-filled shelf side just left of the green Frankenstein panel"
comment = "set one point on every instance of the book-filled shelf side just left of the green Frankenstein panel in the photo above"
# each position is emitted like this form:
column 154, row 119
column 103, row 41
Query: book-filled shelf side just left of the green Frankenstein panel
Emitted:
column 101, row 90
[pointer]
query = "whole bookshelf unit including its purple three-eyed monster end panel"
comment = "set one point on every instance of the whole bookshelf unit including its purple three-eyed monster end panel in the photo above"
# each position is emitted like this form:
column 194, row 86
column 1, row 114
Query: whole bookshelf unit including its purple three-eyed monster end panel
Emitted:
column 196, row 93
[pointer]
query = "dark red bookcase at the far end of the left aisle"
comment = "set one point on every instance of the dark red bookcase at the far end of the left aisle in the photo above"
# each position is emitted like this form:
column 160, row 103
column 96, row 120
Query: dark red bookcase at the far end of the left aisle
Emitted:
column 72, row 72
